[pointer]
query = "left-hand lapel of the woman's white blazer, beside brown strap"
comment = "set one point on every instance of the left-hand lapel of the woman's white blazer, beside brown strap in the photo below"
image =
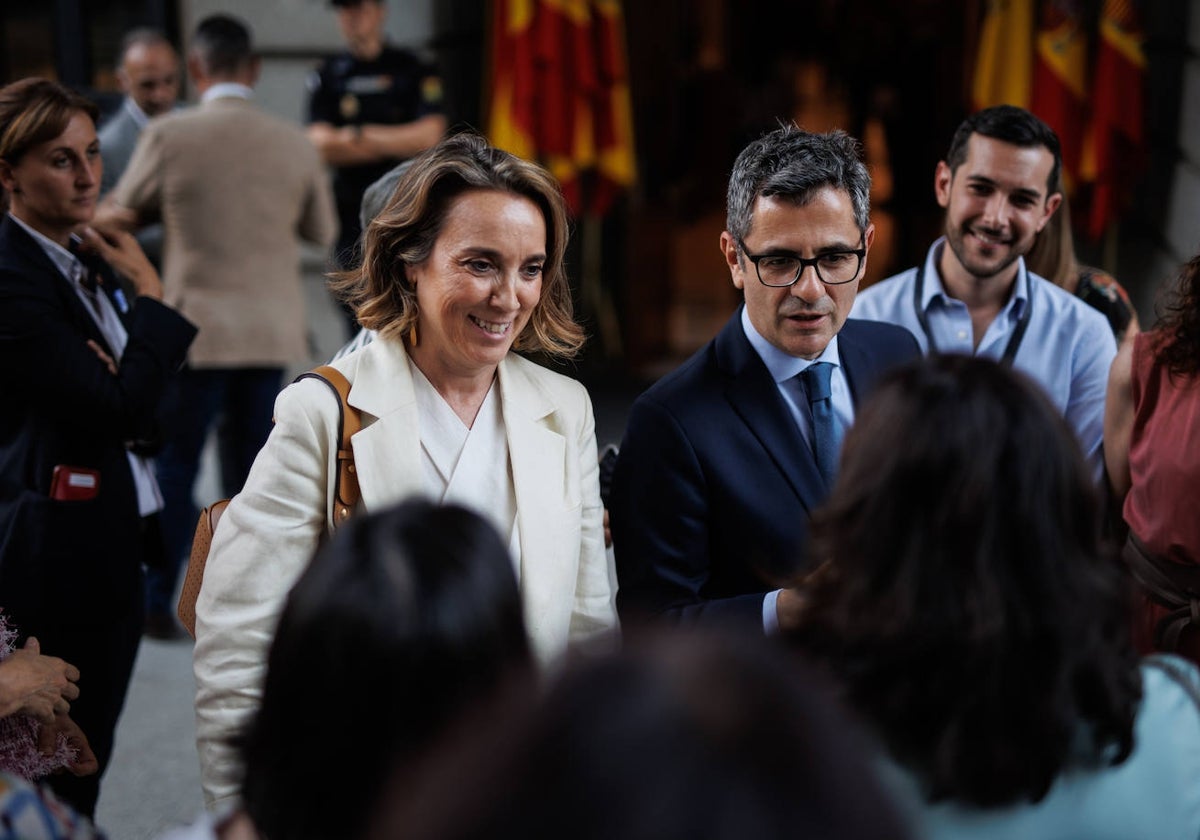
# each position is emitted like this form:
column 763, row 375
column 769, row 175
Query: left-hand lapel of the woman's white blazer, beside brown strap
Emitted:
column 387, row 451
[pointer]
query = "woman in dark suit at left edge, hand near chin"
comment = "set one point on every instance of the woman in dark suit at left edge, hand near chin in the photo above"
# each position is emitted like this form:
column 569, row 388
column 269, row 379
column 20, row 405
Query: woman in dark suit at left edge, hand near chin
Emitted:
column 86, row 371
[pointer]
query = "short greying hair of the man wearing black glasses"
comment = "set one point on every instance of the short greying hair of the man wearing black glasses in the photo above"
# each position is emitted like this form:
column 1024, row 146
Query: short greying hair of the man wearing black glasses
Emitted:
column 795, row 164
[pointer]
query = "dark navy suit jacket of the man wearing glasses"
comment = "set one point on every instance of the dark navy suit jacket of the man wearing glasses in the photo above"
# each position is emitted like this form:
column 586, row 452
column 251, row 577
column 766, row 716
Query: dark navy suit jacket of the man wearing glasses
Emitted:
column 715, row 484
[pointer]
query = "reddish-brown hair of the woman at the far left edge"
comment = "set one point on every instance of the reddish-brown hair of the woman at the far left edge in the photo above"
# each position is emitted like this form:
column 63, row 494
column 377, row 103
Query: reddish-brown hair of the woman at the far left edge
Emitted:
column 35, row 111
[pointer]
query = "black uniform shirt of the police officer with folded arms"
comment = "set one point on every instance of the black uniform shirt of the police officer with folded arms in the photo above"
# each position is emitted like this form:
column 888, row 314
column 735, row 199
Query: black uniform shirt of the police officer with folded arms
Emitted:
column 395, row 88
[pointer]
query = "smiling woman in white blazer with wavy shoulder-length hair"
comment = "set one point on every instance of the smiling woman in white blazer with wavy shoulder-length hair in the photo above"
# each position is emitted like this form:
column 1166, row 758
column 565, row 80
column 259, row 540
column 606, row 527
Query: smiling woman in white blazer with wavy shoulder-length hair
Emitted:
column 461, row 269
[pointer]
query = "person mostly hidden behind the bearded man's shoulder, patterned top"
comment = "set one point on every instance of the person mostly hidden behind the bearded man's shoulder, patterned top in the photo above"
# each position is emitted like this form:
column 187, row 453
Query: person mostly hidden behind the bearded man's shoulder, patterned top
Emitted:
column 1054, row 257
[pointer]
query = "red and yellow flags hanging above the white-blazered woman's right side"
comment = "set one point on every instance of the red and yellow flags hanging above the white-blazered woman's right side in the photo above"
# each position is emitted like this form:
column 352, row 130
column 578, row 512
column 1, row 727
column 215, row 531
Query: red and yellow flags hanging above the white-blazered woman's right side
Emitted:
column 560, row 94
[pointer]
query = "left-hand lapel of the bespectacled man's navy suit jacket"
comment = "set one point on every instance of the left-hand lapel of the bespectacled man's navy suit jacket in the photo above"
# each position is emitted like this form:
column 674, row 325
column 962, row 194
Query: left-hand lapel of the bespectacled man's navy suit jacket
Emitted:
column 755, row 399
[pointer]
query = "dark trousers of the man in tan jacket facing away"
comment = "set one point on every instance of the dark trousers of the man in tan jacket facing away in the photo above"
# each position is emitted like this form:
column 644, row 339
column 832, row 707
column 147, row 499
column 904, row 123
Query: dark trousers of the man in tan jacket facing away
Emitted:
column 243, row 400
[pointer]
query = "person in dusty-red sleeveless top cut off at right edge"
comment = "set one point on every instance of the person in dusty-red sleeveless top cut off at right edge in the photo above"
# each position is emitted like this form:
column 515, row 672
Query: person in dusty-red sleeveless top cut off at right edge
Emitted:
column 1153, row 451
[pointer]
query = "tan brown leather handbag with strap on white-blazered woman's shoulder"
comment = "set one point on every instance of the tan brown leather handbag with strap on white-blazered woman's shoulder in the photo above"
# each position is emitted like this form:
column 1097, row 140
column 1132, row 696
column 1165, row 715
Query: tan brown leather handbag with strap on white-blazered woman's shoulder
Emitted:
column 346, row 496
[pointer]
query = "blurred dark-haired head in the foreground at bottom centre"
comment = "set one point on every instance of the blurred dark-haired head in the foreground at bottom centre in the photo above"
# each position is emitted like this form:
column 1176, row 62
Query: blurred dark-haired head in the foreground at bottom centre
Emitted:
column 682, row 736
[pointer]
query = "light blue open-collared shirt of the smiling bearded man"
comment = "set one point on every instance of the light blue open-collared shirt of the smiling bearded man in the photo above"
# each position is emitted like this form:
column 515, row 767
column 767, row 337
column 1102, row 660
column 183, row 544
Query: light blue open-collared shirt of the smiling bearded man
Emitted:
column 1067, row 349
